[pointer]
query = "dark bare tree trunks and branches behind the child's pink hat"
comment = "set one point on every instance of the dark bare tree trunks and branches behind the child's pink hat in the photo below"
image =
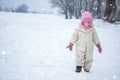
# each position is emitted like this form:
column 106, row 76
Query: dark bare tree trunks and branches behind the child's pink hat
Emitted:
column 108, row 10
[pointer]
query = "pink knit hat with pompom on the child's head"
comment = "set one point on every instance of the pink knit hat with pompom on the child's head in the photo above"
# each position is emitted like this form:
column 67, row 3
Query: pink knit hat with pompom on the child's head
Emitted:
column 86, row 16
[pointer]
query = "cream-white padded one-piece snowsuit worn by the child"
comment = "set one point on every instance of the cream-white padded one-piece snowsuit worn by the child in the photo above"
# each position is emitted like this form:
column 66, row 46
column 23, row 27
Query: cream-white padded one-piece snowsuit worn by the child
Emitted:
column 84, row 40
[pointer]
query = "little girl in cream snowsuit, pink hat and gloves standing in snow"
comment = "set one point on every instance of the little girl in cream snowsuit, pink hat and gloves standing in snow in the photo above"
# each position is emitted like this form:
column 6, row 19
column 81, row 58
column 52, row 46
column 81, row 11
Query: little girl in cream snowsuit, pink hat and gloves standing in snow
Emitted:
column 84, row 36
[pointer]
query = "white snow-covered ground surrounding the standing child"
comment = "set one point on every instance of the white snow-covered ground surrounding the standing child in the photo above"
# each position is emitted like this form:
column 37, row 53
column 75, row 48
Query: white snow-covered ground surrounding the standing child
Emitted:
column 33, row 47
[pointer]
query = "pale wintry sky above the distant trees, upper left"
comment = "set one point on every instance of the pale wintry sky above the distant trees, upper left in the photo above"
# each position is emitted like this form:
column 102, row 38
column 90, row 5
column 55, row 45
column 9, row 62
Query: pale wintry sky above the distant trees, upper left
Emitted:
column 34, row 5
